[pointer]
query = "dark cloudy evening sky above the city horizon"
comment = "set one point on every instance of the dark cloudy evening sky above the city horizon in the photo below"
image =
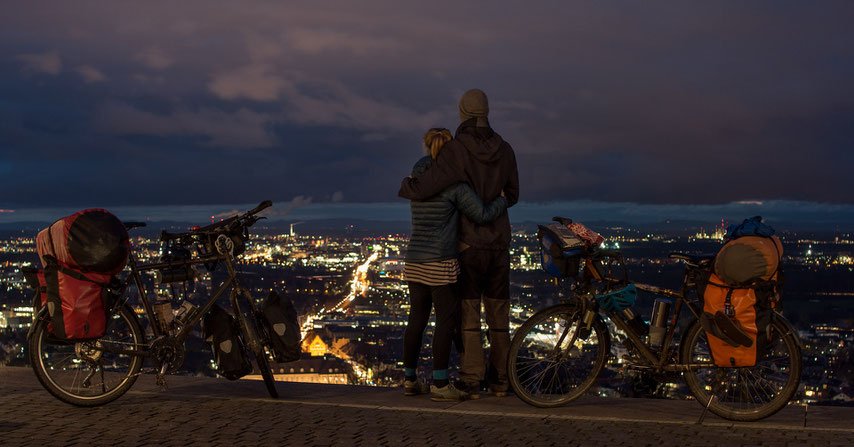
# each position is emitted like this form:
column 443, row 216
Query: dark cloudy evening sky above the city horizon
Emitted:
column 204, row 102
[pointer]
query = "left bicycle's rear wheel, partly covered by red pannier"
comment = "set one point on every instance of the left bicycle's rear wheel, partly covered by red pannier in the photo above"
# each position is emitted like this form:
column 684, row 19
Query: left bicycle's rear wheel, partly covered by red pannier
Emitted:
column 92, row 372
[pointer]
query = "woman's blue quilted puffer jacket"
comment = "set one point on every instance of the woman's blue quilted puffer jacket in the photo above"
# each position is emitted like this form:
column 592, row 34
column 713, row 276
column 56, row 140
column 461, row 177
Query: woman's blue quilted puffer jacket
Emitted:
column 435, row 221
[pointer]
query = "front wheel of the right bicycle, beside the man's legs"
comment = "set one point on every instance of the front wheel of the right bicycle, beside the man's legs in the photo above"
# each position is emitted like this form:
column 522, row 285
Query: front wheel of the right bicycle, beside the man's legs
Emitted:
column 528, row 359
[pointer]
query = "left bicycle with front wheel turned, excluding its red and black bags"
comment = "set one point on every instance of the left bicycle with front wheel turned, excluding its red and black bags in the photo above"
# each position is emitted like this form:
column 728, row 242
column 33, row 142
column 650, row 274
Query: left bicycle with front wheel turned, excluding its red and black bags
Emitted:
column 96, row 372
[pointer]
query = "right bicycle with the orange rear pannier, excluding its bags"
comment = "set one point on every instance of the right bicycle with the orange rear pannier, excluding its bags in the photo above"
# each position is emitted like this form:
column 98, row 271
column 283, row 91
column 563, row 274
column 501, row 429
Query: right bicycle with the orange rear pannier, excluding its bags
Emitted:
column 559, row 352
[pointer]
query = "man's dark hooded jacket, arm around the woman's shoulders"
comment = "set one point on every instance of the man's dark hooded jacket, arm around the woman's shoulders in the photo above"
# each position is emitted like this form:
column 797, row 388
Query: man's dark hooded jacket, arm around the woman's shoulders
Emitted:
column 479, row 156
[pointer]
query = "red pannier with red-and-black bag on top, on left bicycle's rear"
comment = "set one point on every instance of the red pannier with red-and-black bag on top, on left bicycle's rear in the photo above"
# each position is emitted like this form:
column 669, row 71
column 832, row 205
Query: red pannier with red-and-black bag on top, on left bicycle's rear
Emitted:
column 80, row 254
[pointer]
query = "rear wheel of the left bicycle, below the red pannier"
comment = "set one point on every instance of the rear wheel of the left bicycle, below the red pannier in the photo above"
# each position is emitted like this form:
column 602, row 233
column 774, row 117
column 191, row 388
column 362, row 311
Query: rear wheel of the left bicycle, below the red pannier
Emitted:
column 123, row 327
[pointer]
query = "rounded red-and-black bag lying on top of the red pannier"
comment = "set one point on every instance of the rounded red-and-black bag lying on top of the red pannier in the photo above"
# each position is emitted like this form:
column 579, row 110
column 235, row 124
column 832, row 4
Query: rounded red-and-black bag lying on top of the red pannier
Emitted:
column 92, row 240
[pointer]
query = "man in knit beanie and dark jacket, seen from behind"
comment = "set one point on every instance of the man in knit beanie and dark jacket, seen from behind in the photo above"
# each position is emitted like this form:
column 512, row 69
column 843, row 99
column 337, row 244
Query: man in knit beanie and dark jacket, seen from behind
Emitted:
column 479, row 156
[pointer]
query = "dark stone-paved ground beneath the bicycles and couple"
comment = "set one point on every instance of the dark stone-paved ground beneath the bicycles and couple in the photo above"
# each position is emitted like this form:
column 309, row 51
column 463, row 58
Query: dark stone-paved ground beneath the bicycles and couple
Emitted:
column 203, row 411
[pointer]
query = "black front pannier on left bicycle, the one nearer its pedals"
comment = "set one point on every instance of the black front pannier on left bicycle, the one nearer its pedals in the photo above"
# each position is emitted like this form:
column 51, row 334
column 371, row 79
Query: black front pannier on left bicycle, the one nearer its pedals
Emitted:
column 220, row 331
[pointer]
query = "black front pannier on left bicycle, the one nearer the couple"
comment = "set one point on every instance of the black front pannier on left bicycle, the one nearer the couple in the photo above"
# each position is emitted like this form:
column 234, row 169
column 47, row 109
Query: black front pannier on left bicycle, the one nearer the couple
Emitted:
column 280, row 317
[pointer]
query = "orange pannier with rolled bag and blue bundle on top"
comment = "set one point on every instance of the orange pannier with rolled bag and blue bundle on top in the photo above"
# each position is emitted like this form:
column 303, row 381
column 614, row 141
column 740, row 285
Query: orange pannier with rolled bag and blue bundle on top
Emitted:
column 741, row 294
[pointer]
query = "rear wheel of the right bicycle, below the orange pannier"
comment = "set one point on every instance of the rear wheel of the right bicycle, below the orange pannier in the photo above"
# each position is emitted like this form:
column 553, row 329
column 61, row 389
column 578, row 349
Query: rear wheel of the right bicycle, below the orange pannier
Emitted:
column 742, row 398
